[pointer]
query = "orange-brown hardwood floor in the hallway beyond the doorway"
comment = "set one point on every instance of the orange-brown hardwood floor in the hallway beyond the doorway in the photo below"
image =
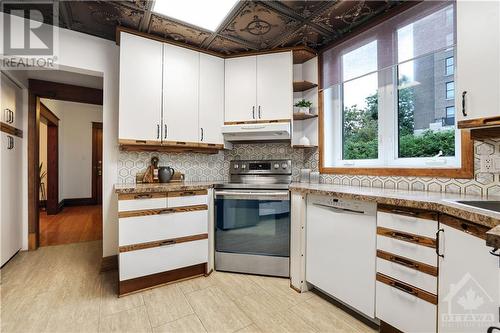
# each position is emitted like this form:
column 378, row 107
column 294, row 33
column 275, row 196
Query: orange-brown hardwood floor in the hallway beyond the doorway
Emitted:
column 71, row 225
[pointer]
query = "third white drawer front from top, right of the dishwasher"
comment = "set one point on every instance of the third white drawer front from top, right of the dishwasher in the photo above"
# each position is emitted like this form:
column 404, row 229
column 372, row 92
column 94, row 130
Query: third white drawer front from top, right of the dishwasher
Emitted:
column 408, row 275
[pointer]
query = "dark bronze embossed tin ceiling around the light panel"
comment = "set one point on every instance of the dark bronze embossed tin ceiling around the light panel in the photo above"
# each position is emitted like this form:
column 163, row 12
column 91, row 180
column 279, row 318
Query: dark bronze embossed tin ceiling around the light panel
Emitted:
column 252, row 25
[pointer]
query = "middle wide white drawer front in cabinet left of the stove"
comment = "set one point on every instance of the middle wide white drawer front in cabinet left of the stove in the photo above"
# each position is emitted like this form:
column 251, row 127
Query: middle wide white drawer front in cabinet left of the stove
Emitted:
column 142, row 229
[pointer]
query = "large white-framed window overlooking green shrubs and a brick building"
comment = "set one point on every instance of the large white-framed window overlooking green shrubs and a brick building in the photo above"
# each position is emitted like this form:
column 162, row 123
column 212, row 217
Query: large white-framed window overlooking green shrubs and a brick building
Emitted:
column 388, row 98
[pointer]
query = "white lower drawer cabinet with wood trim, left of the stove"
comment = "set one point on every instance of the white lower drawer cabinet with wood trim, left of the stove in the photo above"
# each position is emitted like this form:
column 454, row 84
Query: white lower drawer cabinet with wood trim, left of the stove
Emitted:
column 162, row 237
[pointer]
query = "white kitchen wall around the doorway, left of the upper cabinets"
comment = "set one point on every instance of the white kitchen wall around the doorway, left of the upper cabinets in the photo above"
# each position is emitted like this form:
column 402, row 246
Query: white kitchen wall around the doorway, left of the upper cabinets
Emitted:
column 94, row 56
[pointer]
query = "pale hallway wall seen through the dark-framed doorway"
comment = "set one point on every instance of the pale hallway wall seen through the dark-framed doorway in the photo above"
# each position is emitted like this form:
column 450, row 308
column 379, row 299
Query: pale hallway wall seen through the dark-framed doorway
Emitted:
column 75, row 146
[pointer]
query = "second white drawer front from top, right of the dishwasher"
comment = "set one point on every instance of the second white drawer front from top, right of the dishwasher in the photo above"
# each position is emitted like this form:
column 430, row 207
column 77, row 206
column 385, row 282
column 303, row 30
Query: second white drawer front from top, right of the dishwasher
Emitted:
column 426, row 255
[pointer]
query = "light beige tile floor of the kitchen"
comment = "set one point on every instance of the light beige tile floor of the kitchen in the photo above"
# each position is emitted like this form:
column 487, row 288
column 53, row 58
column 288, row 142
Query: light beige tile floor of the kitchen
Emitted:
column 60, row 289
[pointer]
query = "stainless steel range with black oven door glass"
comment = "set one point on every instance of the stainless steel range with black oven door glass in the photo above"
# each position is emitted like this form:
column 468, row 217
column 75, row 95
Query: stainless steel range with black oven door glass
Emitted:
column 252, row 218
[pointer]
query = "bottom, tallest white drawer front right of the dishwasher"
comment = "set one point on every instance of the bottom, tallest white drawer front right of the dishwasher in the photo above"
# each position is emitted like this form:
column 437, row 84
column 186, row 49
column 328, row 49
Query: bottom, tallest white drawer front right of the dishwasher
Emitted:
column 404, row 311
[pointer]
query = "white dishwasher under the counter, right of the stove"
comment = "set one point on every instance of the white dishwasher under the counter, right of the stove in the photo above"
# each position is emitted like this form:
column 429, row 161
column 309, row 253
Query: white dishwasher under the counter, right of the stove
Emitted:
column 341, row 250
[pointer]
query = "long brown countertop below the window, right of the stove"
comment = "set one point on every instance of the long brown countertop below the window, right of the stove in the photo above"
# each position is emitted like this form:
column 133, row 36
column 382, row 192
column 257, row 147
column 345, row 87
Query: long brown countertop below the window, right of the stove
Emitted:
column 434, row 201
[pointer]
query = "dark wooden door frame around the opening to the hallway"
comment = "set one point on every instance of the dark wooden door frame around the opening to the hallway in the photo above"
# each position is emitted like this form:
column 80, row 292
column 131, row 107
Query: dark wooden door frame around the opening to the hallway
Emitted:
column 59, row 91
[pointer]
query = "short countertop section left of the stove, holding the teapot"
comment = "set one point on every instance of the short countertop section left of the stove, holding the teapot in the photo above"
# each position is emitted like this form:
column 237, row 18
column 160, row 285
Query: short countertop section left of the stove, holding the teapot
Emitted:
column 165, row 187
